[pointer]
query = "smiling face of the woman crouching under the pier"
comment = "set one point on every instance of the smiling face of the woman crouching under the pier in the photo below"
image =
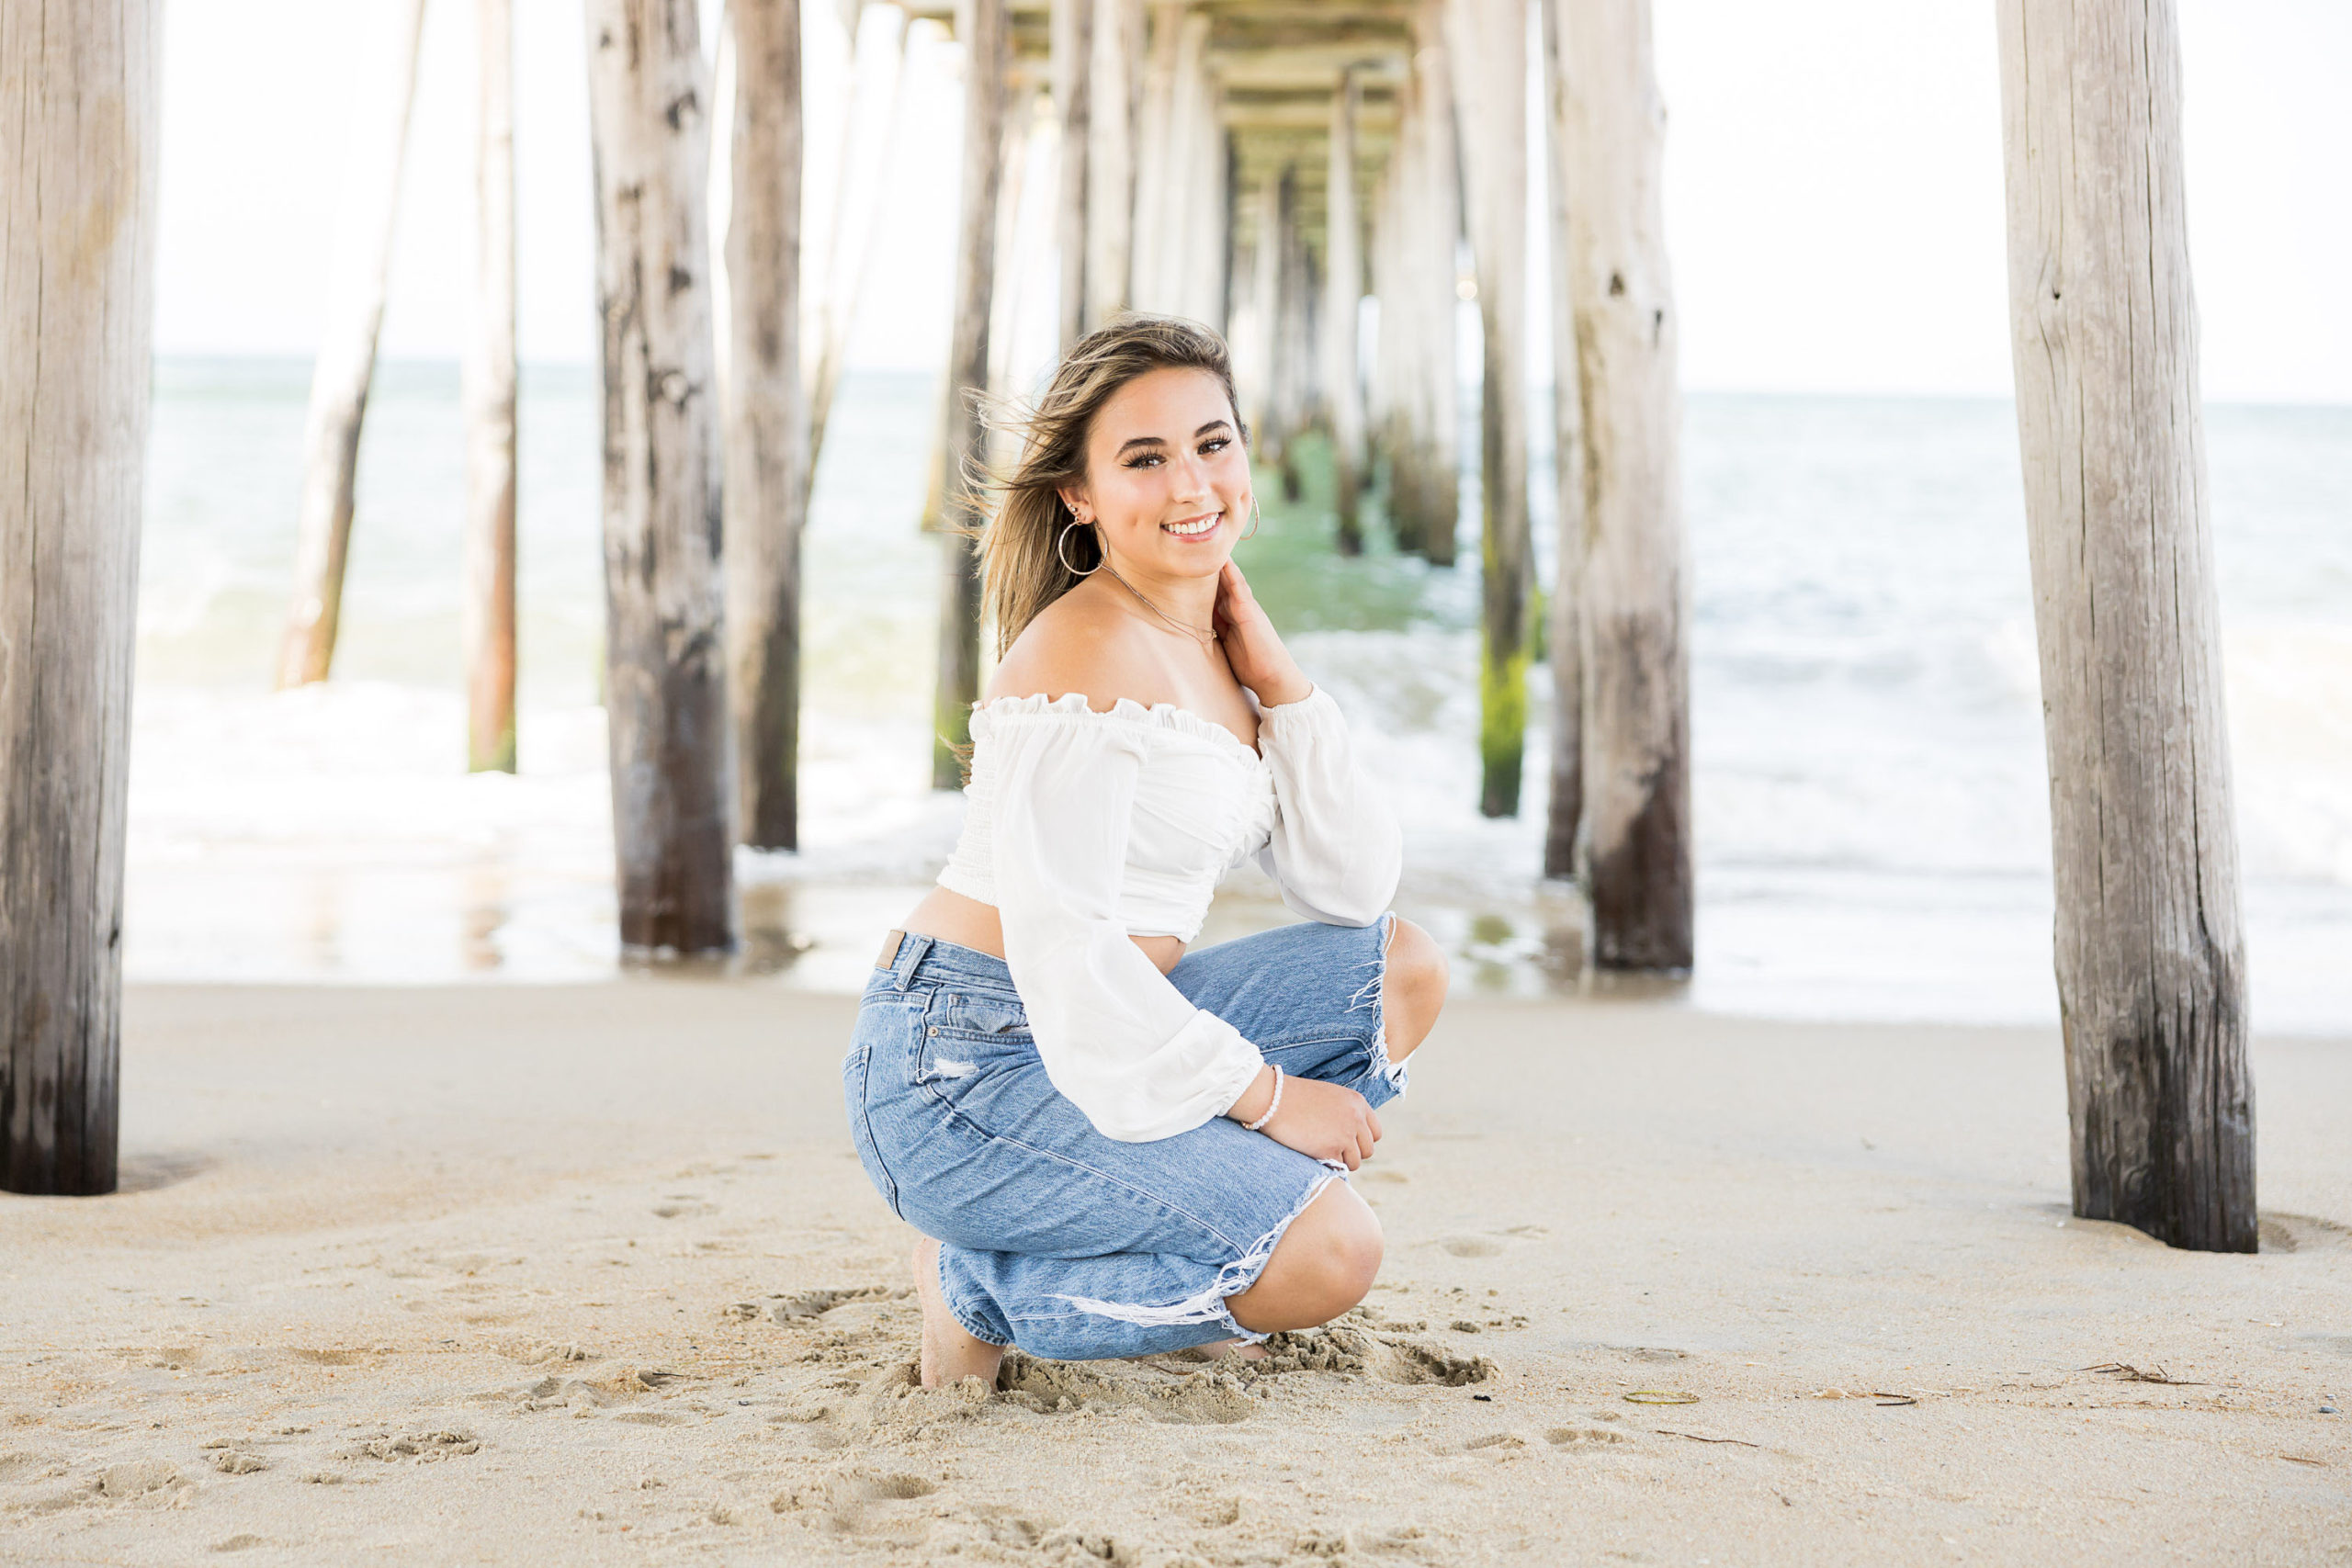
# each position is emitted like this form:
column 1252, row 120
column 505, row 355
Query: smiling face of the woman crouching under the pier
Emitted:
column 1168, row 476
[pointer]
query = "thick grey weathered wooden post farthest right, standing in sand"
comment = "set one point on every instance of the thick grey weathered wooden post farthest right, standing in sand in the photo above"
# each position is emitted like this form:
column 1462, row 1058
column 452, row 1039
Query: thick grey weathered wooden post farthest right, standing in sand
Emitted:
column 2104, row 328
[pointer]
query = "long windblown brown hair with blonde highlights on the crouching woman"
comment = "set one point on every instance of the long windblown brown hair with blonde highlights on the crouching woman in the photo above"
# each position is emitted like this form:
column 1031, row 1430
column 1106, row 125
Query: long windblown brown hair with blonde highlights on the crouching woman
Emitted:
column 1022, row 537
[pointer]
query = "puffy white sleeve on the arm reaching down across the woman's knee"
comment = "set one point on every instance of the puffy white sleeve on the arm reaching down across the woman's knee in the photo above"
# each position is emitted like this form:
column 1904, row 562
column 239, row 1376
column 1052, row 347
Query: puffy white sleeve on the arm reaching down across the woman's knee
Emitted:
column 1114, row 1036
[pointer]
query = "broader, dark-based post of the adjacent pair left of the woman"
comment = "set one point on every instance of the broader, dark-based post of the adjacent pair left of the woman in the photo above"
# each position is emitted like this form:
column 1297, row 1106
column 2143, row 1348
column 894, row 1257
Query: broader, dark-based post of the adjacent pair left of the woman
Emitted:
column 664, row 594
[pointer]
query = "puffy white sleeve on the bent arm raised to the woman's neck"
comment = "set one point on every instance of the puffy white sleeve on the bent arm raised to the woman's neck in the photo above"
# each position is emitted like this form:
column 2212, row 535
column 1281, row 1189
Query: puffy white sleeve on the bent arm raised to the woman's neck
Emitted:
column 1337, row 847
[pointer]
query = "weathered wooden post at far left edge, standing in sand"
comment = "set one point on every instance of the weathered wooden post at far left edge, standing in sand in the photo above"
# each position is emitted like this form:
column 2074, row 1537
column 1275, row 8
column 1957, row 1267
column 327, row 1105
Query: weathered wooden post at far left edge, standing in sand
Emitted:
column 79, row 114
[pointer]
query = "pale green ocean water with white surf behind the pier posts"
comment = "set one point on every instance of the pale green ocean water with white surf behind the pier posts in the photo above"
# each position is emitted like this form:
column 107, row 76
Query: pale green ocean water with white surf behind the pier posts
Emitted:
column 1871, row 803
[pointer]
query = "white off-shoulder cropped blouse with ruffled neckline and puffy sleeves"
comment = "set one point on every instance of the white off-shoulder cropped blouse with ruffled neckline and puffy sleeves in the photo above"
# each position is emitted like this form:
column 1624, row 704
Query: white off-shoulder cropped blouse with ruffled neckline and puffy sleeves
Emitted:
column 1085, row 829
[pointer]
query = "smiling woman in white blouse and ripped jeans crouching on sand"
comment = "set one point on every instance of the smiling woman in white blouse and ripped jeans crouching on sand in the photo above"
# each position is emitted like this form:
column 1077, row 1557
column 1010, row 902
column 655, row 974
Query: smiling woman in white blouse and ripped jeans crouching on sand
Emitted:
column 1043, row 1080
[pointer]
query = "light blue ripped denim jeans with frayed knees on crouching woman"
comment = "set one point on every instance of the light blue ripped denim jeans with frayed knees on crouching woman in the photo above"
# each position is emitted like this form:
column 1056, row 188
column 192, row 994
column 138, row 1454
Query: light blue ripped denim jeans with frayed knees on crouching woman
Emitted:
column 1055, row 1238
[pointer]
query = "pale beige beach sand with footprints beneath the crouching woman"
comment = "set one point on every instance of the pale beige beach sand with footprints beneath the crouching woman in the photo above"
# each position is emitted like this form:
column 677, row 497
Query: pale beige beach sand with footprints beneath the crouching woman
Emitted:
column 592, row 1275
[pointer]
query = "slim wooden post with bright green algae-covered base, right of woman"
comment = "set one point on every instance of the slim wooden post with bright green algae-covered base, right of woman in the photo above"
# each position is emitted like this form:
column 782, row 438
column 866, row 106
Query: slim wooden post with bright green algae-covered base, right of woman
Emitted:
column 1490, row 83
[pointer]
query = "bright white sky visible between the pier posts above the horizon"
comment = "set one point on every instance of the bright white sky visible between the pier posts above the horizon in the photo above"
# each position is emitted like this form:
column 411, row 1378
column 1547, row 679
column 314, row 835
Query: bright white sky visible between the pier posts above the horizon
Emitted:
column 1833, row 189
